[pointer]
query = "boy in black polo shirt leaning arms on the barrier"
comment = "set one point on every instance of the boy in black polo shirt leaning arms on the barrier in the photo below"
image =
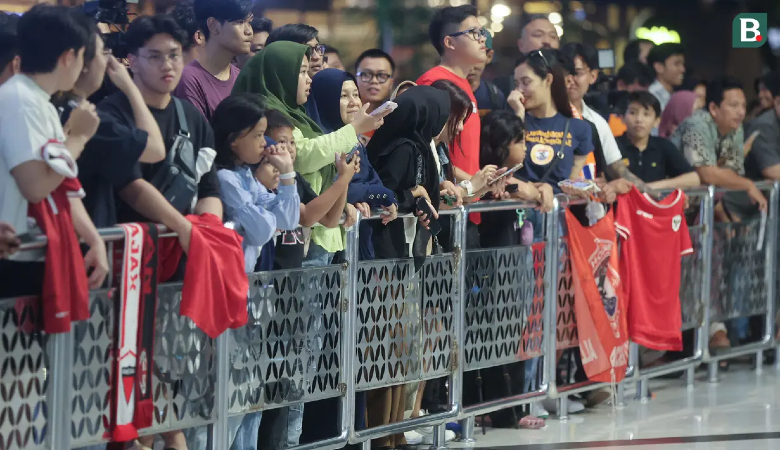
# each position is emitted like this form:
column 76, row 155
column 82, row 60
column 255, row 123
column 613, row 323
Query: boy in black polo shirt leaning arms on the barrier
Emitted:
column 653, row 159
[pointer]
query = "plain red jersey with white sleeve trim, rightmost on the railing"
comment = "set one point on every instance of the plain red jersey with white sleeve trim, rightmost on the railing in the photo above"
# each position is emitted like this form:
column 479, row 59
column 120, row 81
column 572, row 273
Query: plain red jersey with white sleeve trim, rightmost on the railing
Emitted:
column 654, row 236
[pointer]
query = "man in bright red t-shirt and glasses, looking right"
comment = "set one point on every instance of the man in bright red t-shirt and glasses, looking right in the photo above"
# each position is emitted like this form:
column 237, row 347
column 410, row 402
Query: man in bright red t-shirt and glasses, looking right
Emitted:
column 459, row 38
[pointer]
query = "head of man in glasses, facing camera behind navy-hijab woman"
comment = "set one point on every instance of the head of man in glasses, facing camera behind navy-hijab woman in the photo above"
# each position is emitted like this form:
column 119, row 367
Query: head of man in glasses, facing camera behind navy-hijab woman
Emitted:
column 374, row 69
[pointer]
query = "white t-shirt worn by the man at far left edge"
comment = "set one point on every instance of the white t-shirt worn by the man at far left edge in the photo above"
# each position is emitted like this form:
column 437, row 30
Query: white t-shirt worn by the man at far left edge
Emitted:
column 28, row 121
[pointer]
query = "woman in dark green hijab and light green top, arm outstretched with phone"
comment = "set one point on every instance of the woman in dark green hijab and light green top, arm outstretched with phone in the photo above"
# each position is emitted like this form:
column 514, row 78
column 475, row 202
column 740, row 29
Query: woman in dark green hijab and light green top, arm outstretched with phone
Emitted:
column 279, row 74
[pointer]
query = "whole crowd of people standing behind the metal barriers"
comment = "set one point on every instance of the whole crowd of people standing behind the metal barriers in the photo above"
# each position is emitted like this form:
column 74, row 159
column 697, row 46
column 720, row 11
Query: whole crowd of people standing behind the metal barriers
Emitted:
column 215, row 113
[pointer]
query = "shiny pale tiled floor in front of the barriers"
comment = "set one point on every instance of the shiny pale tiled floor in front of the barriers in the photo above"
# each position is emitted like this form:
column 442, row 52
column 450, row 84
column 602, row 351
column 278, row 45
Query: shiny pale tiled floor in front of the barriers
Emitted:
column 742, row 412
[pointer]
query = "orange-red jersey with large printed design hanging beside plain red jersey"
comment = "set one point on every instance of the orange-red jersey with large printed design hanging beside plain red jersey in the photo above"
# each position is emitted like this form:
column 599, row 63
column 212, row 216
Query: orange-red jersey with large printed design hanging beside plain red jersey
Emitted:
column 599, row 301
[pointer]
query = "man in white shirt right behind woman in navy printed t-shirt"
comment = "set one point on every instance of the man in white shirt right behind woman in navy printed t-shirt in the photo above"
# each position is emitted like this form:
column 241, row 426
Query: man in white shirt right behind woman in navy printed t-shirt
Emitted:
column 586, row 67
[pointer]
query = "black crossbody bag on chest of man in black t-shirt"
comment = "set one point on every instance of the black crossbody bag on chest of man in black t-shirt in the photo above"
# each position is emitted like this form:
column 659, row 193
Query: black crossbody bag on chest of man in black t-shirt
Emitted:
column 177, row 178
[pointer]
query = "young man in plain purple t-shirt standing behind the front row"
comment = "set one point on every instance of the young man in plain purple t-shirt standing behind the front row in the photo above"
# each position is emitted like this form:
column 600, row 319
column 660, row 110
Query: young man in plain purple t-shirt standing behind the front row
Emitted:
column 227, row 27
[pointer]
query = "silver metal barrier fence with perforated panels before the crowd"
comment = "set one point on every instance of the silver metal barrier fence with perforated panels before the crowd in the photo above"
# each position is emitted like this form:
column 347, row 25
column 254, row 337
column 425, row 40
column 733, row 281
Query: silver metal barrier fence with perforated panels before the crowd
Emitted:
column 332, row 332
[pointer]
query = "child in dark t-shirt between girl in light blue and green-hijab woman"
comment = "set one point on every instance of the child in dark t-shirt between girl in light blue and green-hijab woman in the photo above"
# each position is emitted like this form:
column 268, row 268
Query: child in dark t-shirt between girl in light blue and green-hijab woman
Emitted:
column 324, row 209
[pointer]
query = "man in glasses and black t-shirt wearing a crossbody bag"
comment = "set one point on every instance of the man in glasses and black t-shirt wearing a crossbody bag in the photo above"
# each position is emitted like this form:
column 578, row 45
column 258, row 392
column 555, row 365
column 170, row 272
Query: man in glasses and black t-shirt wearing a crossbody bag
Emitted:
column 156, row 61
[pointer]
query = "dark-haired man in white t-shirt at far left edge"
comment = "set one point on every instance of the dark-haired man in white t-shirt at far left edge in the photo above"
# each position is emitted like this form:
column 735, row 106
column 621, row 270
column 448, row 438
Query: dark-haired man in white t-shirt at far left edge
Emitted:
column 34, row 148
